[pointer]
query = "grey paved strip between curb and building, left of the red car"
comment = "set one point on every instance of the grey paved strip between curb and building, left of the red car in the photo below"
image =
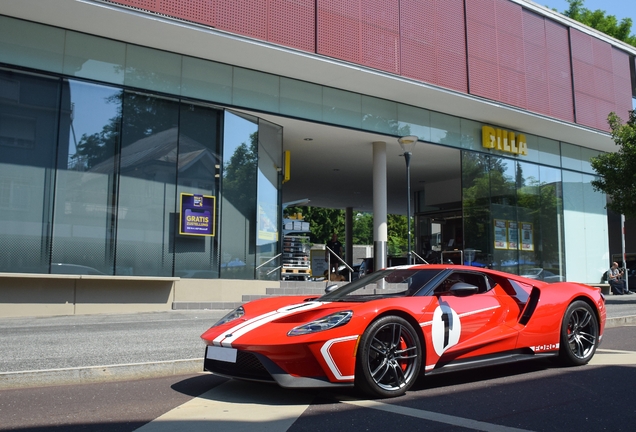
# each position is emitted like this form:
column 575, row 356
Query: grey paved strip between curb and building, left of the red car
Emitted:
column 97, row 340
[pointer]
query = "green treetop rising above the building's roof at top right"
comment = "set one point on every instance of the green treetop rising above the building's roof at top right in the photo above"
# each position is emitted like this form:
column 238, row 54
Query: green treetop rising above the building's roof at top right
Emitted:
column 597, row 19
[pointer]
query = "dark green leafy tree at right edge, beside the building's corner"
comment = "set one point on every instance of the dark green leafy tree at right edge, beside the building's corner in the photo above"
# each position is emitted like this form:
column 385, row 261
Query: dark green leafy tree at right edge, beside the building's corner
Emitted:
column 617, row 170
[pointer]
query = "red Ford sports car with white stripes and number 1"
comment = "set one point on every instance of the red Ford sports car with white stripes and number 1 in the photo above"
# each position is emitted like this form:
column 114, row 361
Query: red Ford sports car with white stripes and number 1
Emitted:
column 382, row 331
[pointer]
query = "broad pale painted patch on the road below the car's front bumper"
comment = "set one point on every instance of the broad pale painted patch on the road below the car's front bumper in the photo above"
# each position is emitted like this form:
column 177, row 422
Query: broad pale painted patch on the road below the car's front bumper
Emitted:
column 234, row 406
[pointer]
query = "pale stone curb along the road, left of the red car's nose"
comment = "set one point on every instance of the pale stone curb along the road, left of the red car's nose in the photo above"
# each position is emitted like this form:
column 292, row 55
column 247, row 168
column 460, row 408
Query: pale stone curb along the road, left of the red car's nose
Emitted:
column 98, row 374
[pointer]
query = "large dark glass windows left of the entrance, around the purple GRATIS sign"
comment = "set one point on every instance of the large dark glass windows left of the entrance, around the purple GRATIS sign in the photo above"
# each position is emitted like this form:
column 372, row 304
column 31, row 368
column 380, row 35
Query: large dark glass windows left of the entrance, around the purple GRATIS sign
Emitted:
column 93, row 177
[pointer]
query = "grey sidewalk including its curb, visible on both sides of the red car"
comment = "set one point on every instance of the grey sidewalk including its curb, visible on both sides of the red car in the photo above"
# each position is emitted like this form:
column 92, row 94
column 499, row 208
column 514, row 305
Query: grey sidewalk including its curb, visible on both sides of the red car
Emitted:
column 97, row 348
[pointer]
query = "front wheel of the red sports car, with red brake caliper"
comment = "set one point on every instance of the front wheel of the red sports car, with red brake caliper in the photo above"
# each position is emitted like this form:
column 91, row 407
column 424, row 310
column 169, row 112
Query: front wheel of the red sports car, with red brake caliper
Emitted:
column 389, row 358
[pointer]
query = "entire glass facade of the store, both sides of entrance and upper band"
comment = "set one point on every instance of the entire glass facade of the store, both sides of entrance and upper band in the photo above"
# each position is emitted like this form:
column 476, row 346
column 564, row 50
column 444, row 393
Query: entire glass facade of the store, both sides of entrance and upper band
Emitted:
column 97, row 155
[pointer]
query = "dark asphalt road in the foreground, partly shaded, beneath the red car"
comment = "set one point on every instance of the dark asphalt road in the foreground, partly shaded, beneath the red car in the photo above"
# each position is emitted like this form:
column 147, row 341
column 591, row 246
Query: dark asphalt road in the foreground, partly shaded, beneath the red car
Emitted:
column 531, row 396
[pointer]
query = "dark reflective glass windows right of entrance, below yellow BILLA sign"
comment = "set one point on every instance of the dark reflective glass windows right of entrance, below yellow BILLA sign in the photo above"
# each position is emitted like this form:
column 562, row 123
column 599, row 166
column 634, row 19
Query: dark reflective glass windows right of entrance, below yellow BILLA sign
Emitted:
column 513, row 214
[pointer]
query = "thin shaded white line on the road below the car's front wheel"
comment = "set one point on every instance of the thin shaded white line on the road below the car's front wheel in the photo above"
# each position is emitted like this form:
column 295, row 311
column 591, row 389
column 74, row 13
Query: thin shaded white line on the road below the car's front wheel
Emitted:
column 433, row 416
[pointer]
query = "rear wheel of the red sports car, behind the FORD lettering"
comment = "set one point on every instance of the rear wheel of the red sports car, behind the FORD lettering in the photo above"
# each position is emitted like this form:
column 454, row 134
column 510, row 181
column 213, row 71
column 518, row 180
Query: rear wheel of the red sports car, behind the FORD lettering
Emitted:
column 579, row 334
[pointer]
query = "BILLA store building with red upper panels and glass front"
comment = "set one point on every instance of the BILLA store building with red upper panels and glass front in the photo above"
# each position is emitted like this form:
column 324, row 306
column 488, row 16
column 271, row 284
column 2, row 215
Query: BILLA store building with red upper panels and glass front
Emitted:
column 143, row 143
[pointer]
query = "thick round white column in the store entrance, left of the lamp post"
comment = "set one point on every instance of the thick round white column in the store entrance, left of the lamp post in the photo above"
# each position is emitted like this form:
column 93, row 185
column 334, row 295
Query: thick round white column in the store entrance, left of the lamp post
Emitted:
column 380, row 235
